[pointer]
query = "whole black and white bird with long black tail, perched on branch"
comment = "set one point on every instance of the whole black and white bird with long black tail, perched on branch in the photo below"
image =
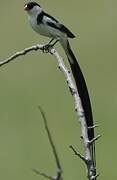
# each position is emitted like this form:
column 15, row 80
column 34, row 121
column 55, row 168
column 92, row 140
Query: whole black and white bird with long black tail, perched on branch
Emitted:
column 46, row 25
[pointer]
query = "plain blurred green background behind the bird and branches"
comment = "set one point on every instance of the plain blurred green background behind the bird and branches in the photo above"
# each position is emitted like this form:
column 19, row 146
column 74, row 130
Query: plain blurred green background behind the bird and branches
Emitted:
column 34, row 80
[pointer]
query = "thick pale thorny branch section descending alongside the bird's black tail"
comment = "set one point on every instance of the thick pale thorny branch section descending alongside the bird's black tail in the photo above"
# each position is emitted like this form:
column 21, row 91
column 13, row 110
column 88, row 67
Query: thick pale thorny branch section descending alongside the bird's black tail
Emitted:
column 80, row 112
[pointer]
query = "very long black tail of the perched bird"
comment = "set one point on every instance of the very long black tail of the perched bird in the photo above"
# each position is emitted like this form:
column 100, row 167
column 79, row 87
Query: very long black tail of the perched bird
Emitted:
column 83, row 93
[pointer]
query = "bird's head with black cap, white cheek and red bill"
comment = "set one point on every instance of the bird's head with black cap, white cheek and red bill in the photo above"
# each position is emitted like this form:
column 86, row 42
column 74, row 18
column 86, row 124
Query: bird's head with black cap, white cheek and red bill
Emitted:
column 32, row 8
